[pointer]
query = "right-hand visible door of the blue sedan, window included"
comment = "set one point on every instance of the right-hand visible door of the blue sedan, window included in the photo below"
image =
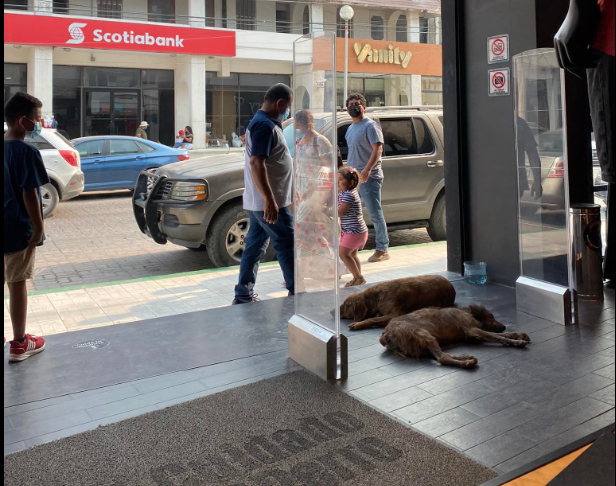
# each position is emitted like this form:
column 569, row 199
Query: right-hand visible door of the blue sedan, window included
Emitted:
column 123, row 163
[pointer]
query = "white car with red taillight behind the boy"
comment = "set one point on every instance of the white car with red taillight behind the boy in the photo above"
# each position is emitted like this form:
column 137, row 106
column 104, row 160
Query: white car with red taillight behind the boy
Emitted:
column 63, row 165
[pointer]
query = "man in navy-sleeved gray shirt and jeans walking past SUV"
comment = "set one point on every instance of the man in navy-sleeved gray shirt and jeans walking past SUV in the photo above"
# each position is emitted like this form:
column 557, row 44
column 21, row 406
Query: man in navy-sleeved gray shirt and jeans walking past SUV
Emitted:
column 268, row 178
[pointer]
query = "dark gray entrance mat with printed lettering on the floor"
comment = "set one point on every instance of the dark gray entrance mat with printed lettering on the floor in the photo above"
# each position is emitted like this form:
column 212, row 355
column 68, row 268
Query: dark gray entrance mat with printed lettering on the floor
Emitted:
column 287, row 431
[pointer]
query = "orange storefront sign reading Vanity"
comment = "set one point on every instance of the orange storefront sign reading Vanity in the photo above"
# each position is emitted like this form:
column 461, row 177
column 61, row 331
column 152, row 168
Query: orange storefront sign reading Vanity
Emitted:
column 382, row 57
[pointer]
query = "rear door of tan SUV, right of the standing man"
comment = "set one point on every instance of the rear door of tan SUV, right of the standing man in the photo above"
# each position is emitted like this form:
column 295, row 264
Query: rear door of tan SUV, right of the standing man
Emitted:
column 413, row 168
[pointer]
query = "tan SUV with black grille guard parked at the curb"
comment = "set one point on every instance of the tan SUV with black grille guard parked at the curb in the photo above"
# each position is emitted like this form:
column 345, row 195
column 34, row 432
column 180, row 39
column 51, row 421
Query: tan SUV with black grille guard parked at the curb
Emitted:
column 198, row 203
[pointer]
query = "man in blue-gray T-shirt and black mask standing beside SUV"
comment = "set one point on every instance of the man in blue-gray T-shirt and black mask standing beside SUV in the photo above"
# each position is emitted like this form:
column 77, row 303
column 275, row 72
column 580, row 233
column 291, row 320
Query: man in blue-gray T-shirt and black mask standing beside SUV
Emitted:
column 365, row 141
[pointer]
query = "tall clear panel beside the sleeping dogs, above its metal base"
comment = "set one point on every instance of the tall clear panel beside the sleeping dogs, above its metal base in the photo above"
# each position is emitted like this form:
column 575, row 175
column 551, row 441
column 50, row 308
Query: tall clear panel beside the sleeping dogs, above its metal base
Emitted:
column 318, row 267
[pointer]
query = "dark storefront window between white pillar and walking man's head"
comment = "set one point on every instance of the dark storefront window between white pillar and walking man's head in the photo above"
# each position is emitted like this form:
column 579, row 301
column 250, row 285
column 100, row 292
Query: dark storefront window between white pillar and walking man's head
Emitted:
column 232, row 102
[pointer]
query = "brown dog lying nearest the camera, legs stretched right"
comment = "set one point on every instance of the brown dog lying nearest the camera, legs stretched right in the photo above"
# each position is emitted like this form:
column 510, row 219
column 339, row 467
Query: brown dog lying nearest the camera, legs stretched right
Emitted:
column 423, row 332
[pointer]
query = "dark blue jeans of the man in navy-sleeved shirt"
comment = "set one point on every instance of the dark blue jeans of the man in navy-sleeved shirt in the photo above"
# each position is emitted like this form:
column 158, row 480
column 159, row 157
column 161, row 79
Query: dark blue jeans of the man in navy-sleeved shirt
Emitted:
column 282, row 237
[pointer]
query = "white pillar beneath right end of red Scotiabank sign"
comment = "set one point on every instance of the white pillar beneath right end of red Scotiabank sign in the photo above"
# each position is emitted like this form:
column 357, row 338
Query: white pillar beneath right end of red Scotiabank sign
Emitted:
column 190, row 97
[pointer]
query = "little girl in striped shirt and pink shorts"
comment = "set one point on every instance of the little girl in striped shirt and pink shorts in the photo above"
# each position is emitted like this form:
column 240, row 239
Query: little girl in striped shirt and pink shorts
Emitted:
column 354, row 229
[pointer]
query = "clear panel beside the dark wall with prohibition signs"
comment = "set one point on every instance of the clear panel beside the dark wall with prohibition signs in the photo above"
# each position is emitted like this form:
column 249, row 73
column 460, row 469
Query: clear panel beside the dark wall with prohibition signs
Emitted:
column 542, row 168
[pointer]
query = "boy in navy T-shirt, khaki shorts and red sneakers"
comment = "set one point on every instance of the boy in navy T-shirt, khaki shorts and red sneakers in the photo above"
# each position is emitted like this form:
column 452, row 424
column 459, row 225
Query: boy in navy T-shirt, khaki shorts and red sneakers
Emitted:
column 24, row 174
